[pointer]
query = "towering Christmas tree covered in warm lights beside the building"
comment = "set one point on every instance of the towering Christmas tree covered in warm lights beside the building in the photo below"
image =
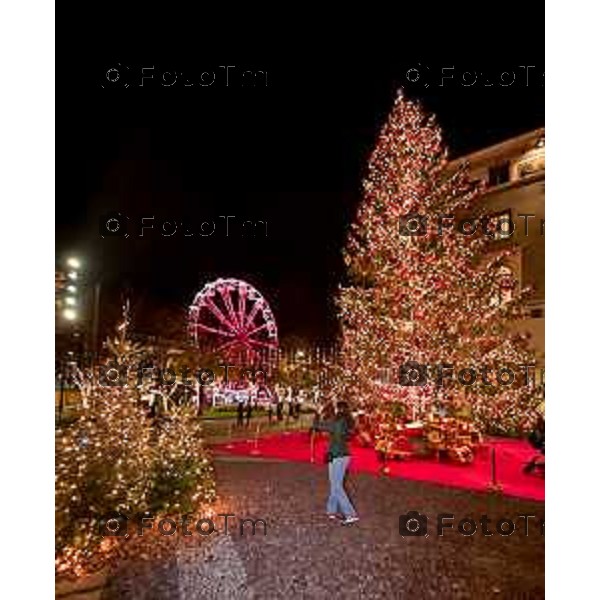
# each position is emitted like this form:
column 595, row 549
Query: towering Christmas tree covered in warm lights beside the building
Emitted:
column 418, row 292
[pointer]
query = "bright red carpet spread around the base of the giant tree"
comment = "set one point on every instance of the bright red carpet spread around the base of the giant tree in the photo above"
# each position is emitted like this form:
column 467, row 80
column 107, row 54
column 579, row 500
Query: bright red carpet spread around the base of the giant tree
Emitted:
column 511, row 456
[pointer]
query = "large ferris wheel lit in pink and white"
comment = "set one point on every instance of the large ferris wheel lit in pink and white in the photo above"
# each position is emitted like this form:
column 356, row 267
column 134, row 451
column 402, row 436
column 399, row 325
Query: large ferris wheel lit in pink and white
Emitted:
column 232, row 319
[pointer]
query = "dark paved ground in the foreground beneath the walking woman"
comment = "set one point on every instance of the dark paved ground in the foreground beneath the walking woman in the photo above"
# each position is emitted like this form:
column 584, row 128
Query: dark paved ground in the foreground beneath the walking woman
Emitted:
column 304, row 555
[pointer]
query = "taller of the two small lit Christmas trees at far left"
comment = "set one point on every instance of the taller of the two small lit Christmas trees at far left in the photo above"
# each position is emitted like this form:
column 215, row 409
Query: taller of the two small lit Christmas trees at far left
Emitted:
column 103, row 464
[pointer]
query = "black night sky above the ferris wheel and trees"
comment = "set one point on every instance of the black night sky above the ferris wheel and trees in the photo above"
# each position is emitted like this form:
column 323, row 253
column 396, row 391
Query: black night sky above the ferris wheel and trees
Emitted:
column 292, row 153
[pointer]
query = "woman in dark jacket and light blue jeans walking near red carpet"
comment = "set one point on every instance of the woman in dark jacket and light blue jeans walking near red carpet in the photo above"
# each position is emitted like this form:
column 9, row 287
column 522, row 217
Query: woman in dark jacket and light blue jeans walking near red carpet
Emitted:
column 339, row 426
